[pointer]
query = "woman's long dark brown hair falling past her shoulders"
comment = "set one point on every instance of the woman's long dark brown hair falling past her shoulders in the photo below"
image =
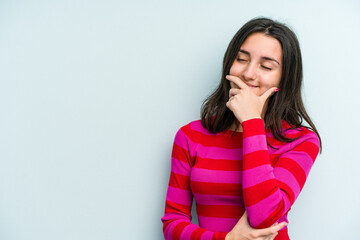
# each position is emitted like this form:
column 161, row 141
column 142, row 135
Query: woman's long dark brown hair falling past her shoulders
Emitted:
column 287, row 104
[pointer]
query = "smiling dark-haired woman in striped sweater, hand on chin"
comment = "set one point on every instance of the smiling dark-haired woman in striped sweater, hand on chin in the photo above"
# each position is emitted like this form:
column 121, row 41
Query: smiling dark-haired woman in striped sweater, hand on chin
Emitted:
column 247, row 159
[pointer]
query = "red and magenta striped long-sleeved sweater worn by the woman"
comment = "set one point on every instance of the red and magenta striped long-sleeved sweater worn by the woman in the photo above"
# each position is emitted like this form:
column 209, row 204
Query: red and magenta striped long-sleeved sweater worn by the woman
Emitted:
column 230, row 172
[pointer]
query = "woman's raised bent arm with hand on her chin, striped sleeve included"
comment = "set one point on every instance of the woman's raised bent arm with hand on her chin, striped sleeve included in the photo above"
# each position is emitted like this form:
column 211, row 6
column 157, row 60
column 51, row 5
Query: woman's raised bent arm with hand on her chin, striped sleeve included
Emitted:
column 268, row 191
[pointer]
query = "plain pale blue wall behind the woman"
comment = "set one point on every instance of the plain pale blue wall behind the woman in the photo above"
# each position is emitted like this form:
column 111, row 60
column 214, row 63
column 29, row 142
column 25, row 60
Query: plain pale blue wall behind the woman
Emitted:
column 93, row 92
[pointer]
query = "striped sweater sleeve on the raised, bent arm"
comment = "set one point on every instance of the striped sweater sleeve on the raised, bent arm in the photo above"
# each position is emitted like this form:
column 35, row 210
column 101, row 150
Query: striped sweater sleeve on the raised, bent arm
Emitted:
column 269, row 189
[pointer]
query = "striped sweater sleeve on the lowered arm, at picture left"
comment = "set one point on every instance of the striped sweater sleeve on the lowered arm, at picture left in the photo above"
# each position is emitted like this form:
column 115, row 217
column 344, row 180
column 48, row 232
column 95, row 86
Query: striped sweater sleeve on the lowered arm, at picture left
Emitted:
column 177, row 218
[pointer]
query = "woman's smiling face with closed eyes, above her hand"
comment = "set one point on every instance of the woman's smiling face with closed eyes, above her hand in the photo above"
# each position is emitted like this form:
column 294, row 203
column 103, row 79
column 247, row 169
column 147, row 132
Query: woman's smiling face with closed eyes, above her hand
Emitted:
column 258, row 63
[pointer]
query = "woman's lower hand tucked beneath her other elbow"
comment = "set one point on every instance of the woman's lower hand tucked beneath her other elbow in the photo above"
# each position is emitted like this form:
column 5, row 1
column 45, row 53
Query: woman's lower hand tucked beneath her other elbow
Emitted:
column 243, row 231
